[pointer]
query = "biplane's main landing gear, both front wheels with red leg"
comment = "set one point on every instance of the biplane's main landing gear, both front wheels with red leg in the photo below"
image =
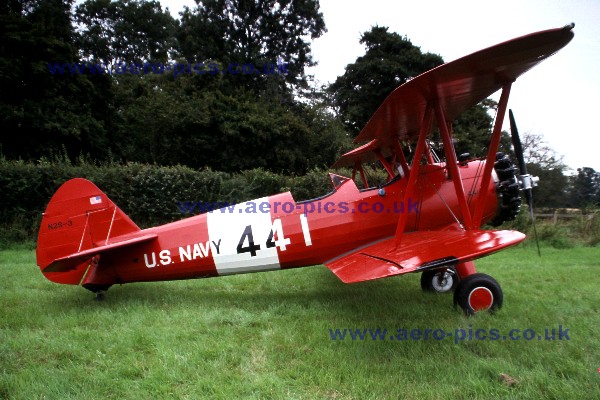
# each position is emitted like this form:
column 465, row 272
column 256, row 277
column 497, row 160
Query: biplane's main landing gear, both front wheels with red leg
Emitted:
column 473, row 291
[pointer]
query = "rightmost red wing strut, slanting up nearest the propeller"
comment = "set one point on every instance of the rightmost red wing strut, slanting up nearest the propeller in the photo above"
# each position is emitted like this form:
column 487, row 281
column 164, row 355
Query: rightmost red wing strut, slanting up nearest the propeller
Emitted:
column 491, row 157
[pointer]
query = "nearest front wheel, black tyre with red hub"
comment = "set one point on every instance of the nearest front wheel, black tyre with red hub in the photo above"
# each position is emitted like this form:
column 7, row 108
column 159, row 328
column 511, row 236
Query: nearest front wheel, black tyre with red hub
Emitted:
column 478, row 292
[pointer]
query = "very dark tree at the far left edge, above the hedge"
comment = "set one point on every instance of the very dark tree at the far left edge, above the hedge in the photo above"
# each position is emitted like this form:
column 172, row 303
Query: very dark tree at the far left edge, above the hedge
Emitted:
column 42, row 113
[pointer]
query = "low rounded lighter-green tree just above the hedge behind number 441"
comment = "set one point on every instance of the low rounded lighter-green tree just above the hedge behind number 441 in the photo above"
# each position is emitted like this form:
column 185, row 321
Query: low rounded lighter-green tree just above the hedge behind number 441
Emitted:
column 247, row 132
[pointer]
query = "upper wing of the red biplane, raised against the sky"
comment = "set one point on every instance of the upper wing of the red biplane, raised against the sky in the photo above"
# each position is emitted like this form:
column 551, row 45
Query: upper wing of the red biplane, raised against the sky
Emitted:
column 456, row 86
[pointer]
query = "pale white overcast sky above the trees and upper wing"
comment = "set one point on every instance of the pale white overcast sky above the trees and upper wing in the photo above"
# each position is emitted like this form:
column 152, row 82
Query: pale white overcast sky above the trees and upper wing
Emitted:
column 557, row 99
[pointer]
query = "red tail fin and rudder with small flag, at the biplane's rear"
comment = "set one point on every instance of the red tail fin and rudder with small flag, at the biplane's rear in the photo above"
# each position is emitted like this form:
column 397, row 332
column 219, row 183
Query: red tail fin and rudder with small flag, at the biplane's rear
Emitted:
column 79, row 219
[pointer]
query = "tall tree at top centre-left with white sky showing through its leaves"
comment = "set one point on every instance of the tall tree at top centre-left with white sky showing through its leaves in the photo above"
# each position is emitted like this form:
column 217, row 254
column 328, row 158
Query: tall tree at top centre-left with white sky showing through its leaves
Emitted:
column 253, row 31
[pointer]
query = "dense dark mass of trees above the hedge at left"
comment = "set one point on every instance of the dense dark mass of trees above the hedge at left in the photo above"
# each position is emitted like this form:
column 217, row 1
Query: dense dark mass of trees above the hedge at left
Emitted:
column 114, row 80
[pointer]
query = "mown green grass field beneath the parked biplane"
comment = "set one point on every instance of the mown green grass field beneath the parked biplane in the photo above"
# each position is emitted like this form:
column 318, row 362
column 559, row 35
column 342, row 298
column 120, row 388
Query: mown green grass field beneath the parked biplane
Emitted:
column 267, row 335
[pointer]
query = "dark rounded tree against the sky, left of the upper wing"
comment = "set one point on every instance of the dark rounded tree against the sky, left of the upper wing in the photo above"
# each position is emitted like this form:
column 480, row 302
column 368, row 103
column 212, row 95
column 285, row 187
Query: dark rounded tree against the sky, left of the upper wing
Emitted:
column 390, row 60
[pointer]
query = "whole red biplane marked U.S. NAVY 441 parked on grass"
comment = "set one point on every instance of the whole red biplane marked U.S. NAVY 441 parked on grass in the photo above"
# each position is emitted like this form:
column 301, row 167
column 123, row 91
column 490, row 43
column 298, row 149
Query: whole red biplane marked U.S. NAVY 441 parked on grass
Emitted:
column 427, row 218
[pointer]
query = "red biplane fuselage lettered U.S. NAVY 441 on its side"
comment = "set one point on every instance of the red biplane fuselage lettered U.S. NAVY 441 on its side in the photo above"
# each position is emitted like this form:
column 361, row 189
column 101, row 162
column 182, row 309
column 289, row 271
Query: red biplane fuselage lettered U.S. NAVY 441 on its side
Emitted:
column 269, row 233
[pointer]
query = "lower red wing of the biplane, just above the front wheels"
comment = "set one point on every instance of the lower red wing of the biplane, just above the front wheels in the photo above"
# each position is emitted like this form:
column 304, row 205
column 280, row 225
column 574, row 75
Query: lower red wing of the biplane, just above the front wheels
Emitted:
column 419, row 251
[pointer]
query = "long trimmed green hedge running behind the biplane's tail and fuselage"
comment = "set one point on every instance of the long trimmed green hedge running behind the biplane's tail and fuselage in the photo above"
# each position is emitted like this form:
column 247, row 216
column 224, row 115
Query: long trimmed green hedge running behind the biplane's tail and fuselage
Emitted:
column 149, row 194
